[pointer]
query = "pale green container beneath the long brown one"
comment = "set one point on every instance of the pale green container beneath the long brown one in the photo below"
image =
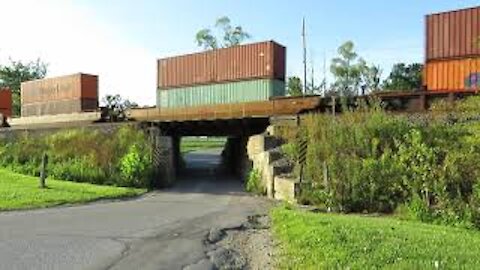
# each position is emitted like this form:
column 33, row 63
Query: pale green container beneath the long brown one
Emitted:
column 224, row 93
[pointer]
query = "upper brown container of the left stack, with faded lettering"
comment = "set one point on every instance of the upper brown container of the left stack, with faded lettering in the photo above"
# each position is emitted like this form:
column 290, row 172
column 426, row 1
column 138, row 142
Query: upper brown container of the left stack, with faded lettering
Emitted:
column 65, row 88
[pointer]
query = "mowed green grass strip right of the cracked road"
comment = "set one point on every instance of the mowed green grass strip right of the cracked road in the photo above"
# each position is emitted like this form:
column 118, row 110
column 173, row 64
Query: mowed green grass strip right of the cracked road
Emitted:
column 330, row 241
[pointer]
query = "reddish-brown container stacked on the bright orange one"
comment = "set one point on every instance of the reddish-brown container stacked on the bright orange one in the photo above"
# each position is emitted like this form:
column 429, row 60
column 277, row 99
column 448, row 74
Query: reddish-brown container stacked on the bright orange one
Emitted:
column 453, row 34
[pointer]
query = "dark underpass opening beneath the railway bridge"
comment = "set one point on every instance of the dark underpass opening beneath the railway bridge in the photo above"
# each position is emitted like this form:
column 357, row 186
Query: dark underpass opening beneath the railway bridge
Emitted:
column 190, row 161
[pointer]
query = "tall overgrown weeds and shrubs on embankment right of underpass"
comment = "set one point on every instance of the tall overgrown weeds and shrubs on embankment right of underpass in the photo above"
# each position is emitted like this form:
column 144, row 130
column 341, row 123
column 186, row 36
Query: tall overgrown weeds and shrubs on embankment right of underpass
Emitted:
column 425, row 167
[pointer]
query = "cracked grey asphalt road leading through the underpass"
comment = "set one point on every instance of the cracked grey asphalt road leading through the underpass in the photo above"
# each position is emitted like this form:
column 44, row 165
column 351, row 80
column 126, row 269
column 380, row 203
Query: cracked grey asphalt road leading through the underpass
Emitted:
column 162, row 230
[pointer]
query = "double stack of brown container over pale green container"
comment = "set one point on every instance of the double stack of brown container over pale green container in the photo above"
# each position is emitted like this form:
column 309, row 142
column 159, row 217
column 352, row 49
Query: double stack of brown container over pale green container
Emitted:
column 245, row 73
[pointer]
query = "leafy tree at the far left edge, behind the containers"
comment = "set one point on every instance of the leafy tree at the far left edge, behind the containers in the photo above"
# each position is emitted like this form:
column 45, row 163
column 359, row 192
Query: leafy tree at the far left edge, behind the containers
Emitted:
column 16, row 72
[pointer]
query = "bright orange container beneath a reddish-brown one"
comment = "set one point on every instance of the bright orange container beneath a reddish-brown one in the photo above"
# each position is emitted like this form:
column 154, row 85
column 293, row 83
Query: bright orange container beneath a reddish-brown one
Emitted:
column 453, row 75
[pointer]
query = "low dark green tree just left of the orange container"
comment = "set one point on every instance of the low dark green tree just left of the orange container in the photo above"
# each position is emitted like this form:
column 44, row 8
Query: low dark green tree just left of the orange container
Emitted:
column 404, row 77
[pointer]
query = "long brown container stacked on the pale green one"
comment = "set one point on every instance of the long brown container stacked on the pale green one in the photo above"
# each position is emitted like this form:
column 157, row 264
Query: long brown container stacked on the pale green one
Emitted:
column 265, row 60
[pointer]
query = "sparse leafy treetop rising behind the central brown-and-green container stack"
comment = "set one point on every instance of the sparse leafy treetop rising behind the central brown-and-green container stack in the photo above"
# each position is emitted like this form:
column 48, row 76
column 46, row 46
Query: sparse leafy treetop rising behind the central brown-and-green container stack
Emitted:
column 231, row 36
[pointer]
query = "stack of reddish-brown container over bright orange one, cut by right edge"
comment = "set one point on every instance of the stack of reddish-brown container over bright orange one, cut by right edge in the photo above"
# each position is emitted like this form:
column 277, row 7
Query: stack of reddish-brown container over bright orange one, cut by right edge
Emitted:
column 453, row 51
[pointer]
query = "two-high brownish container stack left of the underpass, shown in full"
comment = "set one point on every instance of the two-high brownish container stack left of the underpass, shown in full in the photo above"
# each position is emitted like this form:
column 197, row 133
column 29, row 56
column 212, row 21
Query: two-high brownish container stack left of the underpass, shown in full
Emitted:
column 61, row 95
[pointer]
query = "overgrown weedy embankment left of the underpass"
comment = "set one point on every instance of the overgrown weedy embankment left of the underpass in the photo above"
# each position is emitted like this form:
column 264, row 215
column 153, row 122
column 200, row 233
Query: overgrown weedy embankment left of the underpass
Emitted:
column 121, row 157
